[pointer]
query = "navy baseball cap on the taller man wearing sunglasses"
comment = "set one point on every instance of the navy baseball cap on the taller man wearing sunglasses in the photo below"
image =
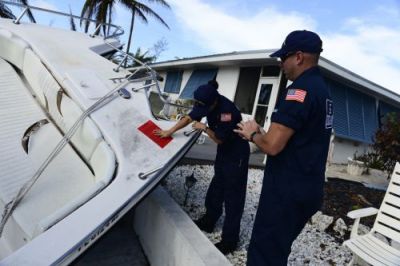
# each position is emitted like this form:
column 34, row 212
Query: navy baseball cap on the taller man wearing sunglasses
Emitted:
column 300, row 40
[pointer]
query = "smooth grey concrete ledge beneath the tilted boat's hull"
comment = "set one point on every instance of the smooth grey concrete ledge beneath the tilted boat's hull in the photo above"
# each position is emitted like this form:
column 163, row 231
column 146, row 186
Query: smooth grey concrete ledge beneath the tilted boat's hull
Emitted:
column 169, row 237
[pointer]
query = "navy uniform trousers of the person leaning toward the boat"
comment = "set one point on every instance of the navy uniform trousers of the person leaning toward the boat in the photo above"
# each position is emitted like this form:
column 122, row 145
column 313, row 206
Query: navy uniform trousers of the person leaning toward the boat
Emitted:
column 228, row 187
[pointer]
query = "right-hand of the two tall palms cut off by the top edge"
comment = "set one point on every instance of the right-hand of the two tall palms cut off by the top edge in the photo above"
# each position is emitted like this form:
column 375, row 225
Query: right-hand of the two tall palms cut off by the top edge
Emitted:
column 101, row 11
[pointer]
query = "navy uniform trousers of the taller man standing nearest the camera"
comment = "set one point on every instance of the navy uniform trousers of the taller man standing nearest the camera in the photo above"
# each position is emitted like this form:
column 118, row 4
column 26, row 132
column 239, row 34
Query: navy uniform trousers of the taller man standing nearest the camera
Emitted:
column 281, row 216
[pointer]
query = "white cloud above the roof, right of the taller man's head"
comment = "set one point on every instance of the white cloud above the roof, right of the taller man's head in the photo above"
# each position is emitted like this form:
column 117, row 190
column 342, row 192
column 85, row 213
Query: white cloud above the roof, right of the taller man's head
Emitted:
column 370, row 51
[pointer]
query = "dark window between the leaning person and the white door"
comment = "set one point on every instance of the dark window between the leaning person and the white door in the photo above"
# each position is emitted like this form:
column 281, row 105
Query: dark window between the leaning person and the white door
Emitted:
column 247, row 88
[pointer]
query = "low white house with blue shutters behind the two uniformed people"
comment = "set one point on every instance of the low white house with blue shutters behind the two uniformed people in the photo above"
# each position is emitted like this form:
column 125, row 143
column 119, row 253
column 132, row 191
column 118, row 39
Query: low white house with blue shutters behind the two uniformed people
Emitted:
column 253, row 81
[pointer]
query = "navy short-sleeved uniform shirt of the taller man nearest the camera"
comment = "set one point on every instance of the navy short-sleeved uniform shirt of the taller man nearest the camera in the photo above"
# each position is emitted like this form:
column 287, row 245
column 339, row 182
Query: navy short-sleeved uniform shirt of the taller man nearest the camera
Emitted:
column 306, row 107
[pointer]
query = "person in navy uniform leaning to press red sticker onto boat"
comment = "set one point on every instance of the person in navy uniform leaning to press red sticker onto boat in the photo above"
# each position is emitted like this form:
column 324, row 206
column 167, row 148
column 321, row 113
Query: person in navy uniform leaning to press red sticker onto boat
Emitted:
column 228, row 186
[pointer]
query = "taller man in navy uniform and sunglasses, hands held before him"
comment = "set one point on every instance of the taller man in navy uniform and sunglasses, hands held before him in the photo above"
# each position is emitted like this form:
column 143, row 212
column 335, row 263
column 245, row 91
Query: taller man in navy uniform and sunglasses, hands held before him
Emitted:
column 297, row 147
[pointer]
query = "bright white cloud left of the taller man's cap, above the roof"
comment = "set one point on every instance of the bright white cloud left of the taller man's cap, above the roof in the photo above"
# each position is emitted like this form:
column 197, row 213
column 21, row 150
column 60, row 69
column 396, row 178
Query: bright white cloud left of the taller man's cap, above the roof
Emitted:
column 221, row 32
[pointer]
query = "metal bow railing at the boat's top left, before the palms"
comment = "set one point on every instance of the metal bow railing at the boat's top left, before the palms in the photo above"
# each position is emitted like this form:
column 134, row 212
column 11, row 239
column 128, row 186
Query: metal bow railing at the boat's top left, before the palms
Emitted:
column 118, row 31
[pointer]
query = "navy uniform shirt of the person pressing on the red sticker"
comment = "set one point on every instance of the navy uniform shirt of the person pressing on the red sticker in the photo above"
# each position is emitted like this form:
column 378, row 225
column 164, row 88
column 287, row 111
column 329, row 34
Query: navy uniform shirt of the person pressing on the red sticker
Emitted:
column 222, row 120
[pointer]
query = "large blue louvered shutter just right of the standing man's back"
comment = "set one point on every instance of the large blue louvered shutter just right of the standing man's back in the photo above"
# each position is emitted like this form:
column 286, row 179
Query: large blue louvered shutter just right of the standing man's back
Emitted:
column 355, row 115
